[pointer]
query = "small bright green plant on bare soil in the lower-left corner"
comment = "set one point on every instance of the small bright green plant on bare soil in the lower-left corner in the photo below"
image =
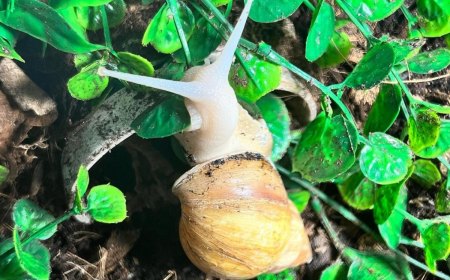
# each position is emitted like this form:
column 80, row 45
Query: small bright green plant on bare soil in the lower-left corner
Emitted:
column 23, row 256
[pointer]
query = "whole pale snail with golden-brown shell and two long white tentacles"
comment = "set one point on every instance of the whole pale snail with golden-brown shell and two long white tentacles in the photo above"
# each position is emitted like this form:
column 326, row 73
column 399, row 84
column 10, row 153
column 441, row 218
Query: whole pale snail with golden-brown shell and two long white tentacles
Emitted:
column 237, row 221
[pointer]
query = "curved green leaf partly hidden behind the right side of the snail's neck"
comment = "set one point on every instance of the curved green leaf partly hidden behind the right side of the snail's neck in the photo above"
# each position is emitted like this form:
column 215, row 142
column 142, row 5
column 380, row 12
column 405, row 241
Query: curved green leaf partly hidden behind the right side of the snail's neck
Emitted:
column 276, row 115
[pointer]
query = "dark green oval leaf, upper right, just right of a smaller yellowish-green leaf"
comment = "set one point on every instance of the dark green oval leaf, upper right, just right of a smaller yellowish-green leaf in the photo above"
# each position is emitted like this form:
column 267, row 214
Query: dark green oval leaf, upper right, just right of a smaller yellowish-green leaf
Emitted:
column 373, row 67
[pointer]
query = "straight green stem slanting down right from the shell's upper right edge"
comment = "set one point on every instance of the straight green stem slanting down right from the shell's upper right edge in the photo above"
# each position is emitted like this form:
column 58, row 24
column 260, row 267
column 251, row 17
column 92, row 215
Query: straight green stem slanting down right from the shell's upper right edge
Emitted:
column 332, row 203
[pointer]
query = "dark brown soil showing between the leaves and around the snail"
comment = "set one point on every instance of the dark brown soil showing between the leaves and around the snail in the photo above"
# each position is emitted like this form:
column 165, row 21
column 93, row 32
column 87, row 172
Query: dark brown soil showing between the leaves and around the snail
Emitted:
column 146, row 245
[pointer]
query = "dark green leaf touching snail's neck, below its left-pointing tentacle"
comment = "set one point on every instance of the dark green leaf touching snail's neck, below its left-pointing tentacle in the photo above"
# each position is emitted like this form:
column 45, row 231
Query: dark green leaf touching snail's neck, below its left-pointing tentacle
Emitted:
column 165, row 118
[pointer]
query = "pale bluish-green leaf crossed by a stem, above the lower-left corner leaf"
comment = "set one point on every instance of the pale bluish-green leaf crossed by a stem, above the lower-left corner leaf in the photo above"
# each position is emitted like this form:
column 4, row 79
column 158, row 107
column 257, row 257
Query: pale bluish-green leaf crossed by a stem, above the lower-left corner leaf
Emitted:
column 31, row 218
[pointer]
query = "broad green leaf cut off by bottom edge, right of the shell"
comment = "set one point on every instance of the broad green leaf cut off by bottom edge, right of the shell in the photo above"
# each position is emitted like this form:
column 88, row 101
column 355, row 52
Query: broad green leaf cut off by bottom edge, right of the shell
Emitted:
column 376, row 266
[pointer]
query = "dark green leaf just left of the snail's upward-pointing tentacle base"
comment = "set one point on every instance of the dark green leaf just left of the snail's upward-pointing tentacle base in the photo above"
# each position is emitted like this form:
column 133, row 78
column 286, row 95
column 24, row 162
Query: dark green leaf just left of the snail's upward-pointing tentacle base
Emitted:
column 204, row 40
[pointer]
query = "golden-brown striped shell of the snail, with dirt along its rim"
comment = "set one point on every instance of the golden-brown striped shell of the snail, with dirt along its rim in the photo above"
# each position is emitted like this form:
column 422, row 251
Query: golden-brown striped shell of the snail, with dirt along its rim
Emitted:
column 236, row 217
